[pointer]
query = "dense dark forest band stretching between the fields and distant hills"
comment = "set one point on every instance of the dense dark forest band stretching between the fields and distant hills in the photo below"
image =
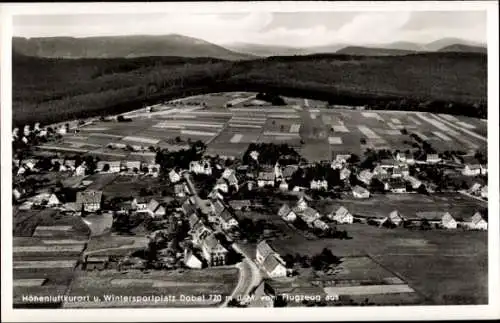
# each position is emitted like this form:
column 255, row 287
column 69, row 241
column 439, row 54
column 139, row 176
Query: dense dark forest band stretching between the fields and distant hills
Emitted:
column 51, row 90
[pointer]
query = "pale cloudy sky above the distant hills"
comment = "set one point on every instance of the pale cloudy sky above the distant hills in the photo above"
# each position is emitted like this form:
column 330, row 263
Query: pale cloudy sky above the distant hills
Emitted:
column 297, row 29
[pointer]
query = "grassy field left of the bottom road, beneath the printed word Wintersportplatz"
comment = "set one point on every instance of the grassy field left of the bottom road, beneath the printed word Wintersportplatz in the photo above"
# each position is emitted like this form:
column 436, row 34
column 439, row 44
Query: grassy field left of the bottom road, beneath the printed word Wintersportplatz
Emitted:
column 169, row 284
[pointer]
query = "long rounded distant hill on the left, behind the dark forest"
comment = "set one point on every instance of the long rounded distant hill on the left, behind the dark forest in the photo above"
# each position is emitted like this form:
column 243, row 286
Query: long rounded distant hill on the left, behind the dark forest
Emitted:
column 123, row 47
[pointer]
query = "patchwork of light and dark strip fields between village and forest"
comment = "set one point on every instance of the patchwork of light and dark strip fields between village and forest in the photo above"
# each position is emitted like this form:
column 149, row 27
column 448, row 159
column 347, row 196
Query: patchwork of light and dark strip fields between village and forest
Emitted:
column 319, row 133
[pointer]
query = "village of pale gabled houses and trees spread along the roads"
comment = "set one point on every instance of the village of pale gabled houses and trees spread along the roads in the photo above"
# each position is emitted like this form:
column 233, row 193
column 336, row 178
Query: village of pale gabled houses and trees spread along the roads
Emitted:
column 182, row 207
